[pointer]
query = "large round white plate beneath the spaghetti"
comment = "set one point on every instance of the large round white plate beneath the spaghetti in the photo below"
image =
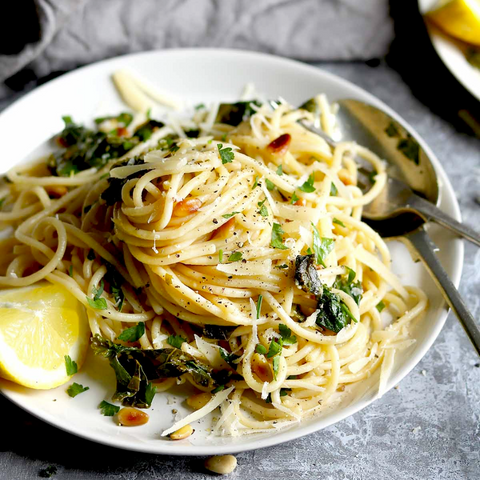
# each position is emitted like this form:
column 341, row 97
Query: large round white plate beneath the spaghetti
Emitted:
column 201, row 76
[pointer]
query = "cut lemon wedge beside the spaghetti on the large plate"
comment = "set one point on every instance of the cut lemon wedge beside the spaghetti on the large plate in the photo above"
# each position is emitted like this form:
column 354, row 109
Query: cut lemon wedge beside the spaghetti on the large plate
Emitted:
column 39, row 325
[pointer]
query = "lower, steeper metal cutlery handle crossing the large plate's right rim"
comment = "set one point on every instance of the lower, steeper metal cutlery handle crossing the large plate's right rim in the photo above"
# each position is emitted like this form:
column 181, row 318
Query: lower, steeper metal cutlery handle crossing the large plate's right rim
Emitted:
column 425, row 248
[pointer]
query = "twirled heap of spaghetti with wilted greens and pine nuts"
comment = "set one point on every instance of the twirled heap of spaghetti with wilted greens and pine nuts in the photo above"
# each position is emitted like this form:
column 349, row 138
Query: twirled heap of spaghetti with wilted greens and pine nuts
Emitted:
column 241, row 248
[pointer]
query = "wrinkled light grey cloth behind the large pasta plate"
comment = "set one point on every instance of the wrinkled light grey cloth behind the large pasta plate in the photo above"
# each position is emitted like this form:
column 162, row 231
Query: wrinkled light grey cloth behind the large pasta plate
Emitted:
column 77, row 32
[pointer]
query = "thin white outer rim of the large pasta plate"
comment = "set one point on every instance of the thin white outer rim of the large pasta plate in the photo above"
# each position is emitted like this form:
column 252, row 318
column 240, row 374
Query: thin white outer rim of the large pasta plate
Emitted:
column 281, row 436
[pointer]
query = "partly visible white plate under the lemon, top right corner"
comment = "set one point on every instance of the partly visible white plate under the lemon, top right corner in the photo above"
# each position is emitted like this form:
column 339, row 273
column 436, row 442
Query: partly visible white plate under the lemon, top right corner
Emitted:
column 451, row 52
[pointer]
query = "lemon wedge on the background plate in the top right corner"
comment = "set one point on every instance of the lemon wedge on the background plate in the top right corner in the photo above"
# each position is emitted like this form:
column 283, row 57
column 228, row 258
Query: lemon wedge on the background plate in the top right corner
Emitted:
column 459, row 18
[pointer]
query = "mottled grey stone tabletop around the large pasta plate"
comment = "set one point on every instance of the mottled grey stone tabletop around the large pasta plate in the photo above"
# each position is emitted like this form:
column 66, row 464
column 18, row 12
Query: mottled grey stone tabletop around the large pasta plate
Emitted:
column 441, row 395
